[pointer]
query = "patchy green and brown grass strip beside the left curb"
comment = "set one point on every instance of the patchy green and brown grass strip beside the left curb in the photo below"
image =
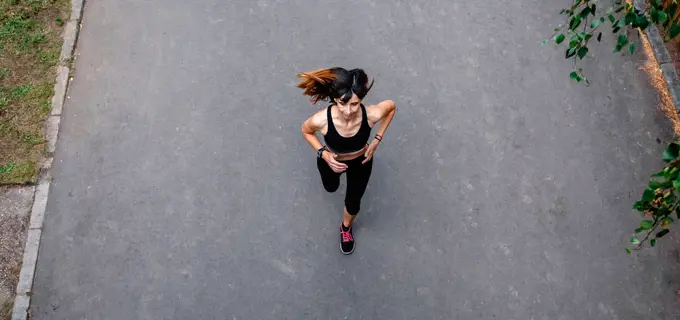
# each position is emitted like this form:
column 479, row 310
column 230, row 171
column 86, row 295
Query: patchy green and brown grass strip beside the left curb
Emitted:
column 30, row 43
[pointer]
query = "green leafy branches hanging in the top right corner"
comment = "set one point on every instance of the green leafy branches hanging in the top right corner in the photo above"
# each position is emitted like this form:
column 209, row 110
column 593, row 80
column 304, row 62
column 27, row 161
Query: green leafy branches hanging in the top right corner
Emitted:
column 586, row 21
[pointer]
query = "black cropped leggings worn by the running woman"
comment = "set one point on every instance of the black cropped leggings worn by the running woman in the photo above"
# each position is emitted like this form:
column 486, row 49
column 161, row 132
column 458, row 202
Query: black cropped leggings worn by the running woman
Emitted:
column 357, row 179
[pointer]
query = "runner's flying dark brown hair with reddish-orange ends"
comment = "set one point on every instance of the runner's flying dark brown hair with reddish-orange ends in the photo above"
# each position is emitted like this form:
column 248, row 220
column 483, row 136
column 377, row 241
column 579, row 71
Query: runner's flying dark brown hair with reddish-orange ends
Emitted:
column 334, row 83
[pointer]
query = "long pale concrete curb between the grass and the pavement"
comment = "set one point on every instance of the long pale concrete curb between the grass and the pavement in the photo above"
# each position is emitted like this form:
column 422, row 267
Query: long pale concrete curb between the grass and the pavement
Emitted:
column 22, row 301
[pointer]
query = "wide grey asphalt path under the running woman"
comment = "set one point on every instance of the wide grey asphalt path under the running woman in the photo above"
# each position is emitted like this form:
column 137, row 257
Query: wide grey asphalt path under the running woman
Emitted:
column 184, row 190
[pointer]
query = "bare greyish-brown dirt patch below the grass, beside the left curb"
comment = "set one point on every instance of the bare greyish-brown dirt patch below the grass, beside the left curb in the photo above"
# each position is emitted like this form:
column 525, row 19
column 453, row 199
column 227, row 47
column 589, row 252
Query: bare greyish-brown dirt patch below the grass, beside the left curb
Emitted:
column 15, row 207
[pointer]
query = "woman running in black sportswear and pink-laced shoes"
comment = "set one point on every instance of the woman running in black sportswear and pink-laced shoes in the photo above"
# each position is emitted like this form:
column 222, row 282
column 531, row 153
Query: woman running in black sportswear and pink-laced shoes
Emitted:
column 346, row 126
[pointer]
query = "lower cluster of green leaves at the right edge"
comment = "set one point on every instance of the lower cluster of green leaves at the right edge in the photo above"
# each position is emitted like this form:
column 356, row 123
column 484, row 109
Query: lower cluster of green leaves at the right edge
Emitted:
column 659, row 201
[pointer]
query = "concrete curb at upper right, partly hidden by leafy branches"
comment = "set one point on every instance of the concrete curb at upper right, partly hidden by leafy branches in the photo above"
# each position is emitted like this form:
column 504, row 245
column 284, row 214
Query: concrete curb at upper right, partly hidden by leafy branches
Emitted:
column 670, row 75
